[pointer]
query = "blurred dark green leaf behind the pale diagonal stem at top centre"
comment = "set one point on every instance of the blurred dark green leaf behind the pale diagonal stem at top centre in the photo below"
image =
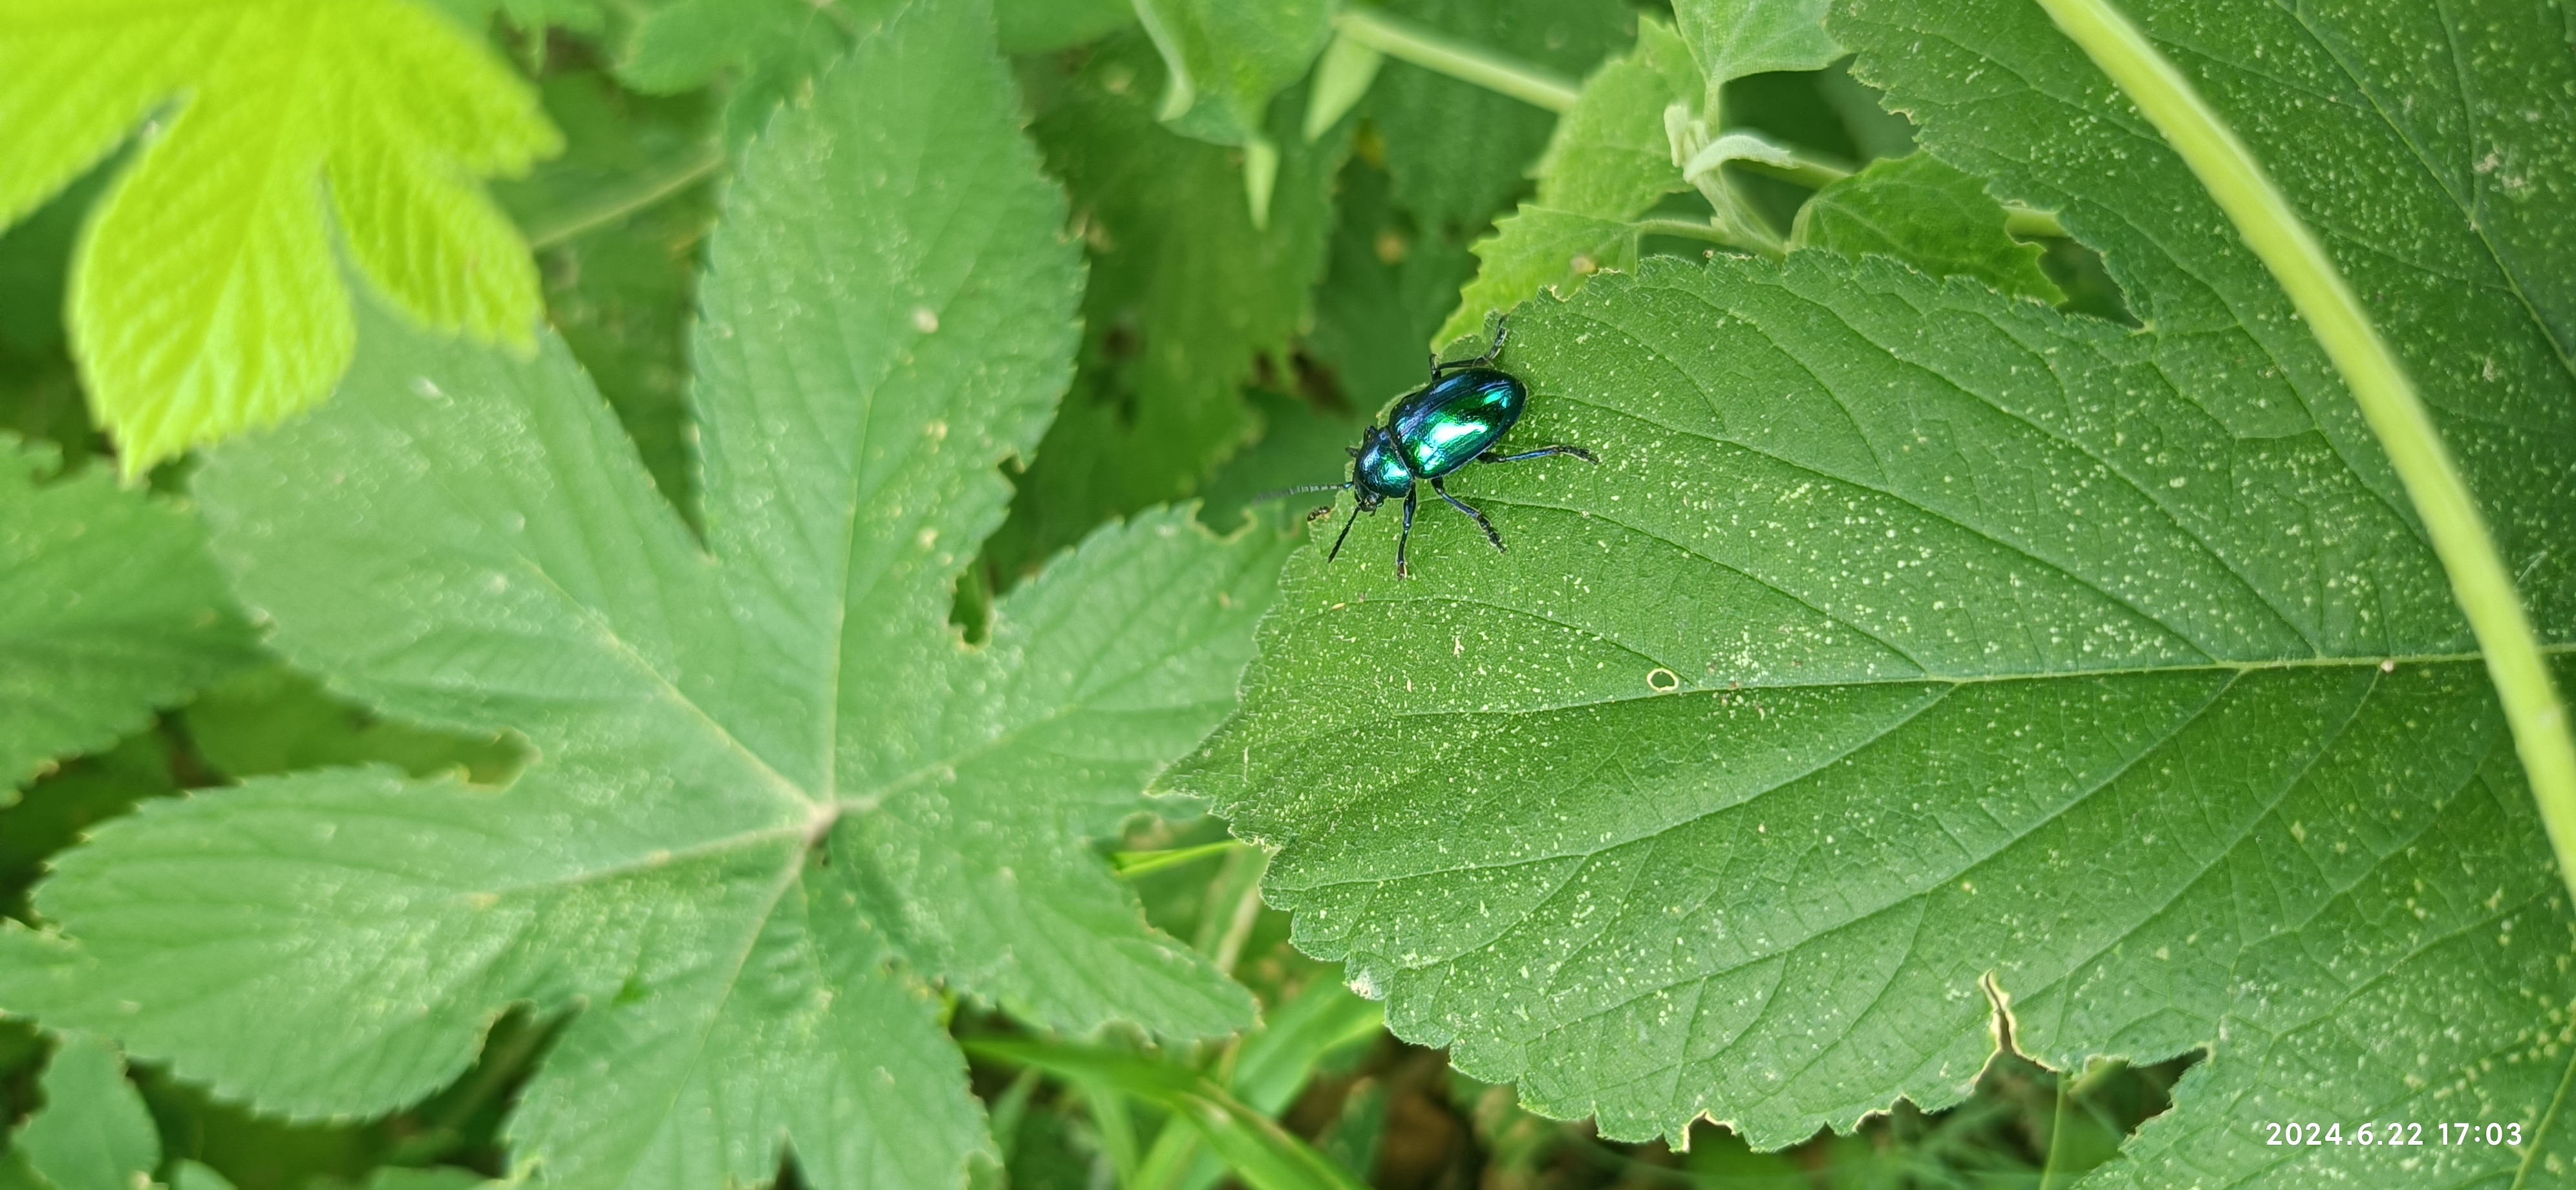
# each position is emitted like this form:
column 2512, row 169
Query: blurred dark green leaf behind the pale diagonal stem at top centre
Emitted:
column 1462, row 153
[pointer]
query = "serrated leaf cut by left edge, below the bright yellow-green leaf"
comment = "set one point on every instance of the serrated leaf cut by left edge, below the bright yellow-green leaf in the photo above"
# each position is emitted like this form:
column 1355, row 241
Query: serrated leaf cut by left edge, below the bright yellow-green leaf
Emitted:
column 107, row 612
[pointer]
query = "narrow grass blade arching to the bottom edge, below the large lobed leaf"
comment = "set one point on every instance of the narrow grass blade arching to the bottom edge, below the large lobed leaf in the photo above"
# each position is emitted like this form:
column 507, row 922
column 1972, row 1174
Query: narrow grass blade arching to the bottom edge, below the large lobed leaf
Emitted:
column 1253, row 1145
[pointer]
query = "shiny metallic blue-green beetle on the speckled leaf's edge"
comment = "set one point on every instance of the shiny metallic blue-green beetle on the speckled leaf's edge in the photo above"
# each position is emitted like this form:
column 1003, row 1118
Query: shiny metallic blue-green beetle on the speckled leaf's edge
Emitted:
column 1436, row 431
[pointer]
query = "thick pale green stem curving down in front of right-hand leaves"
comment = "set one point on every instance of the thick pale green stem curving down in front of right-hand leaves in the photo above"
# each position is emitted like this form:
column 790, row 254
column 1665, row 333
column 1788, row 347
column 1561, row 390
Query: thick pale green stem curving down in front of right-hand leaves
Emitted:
column 2379, row 382
